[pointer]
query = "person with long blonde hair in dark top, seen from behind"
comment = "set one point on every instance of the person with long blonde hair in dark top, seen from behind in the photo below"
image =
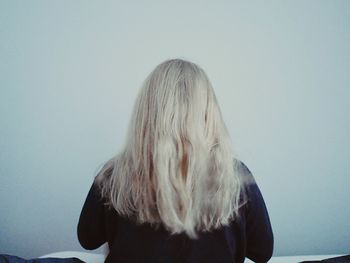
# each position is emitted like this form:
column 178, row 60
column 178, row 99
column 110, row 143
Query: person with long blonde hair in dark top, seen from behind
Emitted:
column 176, row 192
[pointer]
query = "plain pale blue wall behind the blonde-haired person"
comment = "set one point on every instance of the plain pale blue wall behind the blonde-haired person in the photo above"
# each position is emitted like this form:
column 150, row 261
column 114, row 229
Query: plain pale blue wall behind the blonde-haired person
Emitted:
column 70, row 72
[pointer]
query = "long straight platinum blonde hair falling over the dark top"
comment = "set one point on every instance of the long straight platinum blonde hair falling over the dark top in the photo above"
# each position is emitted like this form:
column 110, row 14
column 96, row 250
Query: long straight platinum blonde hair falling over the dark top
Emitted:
column 177, row 166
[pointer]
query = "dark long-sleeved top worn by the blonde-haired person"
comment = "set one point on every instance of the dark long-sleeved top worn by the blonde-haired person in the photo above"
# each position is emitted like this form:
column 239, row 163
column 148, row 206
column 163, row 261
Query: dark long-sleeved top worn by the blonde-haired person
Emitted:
column 249, row 236
